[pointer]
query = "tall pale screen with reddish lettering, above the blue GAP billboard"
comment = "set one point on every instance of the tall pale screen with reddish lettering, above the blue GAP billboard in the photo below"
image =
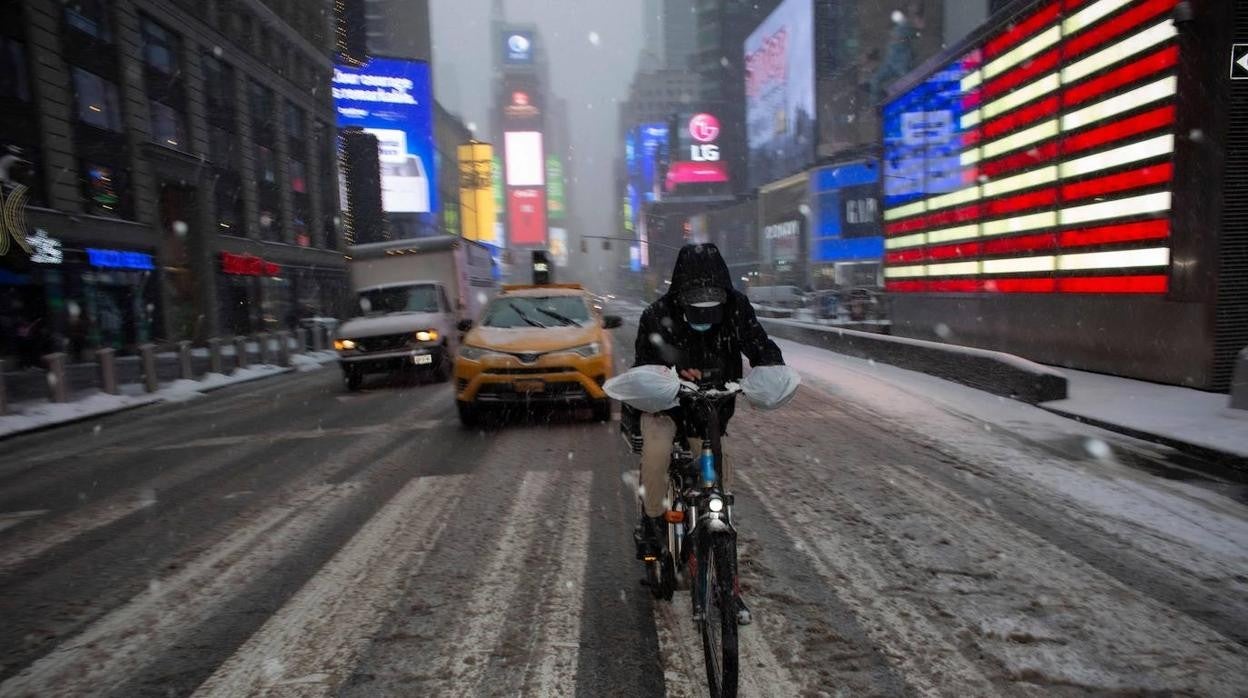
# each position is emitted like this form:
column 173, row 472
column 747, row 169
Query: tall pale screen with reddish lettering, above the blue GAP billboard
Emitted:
column 781, row 93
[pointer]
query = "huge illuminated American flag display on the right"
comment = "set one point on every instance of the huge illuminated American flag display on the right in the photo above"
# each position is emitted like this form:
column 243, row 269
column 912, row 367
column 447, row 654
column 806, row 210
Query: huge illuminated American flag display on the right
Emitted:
column 1041, row 162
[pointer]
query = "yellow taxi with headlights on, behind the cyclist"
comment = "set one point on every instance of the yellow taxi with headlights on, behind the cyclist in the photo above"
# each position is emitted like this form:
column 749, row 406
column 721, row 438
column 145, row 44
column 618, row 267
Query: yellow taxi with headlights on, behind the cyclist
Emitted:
column 536, row 345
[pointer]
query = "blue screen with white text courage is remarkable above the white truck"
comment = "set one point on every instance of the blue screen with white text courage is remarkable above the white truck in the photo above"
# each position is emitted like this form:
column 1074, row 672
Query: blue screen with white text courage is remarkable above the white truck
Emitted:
column 392, row 101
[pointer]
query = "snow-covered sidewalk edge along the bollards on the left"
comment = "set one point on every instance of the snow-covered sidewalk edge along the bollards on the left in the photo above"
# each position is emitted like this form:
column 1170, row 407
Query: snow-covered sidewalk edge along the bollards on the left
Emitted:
column 37, row 415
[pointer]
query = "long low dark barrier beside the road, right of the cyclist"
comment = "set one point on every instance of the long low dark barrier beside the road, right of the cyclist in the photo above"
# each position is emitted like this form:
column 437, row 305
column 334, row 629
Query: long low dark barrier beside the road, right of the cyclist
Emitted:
column 990, row 371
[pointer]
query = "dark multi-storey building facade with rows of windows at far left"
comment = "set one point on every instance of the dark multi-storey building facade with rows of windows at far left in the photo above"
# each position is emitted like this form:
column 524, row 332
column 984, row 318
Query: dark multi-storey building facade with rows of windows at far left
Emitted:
column 182, row 169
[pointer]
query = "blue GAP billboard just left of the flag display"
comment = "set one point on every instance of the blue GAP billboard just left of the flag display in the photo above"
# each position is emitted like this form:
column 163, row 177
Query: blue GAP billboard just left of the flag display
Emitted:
column 847, row 213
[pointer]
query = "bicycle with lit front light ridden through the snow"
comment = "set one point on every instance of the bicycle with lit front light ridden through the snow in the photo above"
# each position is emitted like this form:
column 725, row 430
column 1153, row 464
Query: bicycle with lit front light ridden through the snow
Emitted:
column 702, row 541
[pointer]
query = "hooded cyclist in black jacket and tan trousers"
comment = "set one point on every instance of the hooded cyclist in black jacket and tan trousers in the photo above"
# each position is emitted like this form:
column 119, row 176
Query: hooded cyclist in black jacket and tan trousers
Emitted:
column 701, row 328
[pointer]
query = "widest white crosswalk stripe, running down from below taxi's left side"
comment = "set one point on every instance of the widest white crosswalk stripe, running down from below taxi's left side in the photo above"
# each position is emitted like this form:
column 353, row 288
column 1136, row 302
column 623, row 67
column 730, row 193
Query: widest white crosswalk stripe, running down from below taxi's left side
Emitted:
column 313, row 644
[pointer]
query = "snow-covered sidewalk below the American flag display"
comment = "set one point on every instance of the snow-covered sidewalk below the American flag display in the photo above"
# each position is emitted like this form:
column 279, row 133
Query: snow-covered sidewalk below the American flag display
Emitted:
column 1165, row 414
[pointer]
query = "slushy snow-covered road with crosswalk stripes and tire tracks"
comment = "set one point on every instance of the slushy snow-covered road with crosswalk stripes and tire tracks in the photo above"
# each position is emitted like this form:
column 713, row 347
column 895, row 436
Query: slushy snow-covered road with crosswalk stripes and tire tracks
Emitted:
column 900, row 538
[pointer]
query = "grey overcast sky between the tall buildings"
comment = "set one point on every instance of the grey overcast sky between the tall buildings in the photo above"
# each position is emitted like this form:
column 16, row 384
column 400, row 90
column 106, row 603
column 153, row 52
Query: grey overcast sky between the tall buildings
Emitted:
column 593, row 47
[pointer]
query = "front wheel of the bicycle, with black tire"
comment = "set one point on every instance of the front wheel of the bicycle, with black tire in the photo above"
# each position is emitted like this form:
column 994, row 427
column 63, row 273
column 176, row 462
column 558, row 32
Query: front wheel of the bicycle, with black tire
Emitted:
column 718, row 595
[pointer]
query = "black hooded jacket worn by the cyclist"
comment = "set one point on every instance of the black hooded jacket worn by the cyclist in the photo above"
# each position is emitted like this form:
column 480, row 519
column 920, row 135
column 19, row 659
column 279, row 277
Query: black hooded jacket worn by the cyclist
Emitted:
column 665, row 338
